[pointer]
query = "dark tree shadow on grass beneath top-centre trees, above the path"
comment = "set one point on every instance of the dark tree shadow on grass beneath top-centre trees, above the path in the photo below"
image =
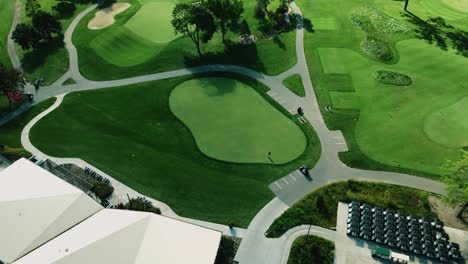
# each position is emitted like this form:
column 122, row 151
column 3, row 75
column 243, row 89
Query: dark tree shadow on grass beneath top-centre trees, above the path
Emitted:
column 234, row 53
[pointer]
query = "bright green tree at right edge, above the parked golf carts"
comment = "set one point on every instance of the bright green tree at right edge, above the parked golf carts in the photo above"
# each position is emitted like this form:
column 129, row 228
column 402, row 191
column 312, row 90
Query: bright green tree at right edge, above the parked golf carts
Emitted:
column 455, row 176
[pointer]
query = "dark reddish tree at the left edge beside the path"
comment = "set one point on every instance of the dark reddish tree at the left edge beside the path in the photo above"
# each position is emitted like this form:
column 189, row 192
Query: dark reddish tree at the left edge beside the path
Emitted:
column 11, row 80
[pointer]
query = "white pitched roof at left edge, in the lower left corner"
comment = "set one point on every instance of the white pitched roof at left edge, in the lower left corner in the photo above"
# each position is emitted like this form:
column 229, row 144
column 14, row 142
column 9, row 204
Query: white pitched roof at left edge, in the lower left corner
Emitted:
column 36, row 206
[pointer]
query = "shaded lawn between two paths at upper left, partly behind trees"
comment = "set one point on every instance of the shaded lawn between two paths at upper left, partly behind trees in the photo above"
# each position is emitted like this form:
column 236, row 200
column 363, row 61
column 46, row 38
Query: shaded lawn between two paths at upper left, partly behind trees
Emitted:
column 50, row 61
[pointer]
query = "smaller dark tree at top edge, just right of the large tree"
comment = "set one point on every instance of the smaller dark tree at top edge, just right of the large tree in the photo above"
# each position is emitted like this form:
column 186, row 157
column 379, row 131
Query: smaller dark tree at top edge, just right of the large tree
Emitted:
column 227, row 14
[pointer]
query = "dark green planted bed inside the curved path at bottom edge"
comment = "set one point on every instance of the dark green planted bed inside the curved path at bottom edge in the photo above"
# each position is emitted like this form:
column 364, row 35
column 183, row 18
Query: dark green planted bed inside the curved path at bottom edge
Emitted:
column 312, row 250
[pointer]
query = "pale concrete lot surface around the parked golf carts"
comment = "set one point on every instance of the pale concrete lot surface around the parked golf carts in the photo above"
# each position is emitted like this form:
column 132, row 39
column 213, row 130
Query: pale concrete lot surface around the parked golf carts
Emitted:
column 357, row 250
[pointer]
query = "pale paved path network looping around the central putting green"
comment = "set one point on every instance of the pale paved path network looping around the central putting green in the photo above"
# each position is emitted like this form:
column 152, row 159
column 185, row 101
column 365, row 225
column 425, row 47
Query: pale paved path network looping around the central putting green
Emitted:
column 255, row 247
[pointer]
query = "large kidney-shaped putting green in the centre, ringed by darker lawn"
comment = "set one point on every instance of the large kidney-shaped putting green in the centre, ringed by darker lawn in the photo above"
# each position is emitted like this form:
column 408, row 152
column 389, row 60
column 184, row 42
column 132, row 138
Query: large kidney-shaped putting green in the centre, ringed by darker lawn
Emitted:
column 232, row 122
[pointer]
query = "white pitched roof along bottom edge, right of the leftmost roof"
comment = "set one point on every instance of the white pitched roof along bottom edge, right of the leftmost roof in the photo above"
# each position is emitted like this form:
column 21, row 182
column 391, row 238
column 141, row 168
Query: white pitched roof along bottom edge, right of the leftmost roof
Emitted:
column 123, row 237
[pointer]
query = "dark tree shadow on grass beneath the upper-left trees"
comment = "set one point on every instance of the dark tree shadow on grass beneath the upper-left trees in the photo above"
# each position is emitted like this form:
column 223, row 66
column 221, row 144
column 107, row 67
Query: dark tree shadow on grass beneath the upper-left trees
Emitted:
column 36, row 58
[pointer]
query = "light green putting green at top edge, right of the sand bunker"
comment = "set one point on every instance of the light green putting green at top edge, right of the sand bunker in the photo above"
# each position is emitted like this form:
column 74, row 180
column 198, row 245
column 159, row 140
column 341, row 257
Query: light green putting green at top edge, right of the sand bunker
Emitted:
column 153, row 22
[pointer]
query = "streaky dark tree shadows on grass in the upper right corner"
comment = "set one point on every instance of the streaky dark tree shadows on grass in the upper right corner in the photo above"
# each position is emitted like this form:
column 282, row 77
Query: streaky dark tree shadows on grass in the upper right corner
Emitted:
column 437, row 31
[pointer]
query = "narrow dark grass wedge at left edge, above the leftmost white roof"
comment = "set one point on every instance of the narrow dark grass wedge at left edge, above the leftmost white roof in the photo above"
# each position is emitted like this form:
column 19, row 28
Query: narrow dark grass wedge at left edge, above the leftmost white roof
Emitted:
column 10, row 133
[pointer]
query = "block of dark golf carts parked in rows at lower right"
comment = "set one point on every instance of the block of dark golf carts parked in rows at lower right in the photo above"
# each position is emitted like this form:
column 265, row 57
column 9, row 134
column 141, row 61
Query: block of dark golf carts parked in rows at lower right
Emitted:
column 409, row 233
